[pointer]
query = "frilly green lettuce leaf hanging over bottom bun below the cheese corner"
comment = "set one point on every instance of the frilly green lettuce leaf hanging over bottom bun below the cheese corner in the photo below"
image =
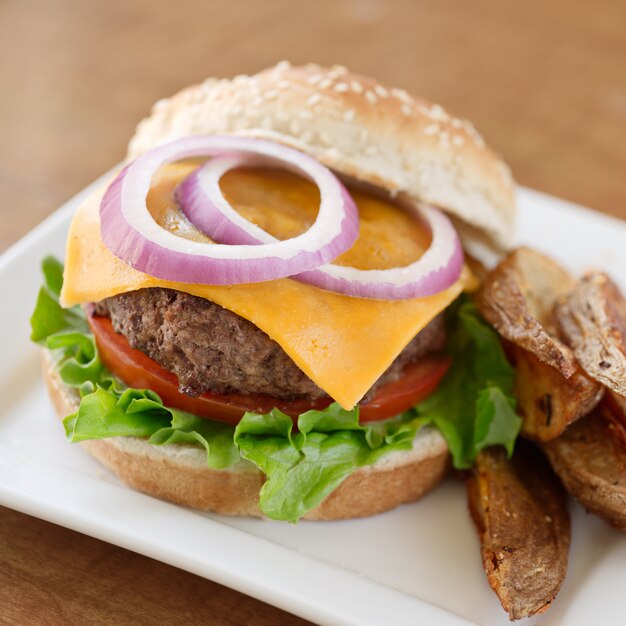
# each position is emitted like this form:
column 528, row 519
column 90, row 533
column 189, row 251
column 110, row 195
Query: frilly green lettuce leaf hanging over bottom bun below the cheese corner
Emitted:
column 303, row 468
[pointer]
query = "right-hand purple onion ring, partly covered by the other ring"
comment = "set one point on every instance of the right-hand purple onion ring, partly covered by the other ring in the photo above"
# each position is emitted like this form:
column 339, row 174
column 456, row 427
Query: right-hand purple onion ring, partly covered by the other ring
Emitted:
column 203, row 202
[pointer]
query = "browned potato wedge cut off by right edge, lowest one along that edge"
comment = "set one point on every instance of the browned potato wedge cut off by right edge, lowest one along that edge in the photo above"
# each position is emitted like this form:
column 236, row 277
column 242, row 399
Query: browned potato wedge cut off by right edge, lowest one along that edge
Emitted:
column 590, row 459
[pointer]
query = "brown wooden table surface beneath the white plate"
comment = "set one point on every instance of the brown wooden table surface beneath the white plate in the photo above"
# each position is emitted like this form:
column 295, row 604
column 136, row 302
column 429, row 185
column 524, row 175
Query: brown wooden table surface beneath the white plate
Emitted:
column 544, row 81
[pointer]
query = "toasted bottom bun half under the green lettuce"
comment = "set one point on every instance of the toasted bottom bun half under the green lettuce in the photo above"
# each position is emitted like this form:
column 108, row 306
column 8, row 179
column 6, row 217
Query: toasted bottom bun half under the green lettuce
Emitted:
column 178, row 473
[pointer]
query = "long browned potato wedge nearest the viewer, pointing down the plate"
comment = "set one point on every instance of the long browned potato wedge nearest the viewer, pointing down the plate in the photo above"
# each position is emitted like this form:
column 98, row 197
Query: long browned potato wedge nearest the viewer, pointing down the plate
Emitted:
column 521, row 516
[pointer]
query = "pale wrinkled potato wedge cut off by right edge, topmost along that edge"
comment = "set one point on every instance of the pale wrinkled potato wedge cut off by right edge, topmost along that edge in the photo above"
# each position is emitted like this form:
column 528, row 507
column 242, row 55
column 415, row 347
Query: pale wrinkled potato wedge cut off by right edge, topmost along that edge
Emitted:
column 592, row 319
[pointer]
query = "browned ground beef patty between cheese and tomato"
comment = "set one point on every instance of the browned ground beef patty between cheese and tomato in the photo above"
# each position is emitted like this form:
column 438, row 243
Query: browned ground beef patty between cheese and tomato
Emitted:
column 209, row 348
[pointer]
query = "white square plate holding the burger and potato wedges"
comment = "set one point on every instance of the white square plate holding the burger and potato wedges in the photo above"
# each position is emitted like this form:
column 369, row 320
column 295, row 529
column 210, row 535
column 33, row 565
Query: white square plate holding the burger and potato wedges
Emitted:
column 417, row 564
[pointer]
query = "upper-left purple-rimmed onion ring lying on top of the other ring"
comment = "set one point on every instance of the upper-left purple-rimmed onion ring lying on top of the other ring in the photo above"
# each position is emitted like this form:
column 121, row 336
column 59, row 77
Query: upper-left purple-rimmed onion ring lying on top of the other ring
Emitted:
column 132, row 234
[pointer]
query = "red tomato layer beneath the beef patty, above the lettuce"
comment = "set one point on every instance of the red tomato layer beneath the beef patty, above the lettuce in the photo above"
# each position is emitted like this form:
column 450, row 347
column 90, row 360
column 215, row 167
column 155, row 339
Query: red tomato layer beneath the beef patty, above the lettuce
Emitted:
column 138, row 370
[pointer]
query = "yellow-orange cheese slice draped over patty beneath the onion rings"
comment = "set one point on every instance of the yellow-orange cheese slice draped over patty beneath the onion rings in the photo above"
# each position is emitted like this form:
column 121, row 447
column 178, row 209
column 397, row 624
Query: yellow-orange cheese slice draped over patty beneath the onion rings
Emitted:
column 343, row 344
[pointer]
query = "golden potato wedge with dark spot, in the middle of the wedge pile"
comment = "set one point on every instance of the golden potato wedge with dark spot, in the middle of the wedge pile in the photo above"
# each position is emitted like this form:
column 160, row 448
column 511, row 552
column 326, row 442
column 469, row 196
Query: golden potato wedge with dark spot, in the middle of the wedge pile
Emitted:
column 547, row 402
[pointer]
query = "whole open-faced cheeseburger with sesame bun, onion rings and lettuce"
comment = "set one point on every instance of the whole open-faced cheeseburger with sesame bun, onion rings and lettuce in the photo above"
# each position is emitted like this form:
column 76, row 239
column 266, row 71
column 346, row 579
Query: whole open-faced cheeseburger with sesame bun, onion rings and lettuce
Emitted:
column 264, row 313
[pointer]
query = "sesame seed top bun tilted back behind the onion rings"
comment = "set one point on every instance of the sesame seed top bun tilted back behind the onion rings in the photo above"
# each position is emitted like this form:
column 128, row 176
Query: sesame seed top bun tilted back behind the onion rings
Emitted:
column 359, row 128
